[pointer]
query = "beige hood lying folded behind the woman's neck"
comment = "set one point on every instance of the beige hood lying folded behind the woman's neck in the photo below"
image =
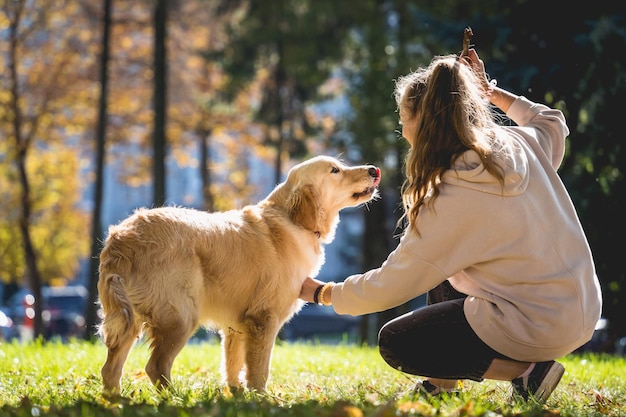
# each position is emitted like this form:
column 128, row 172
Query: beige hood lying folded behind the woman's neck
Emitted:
column 468, row 171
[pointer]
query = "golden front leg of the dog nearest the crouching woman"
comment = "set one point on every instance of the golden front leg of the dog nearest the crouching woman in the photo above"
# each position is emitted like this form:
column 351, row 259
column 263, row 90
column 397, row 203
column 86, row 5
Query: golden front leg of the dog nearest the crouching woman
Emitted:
column 261, row 332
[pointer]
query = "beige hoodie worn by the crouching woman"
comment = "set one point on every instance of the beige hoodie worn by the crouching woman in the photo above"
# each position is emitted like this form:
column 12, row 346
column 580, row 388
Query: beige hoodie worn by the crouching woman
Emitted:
column 520, row 252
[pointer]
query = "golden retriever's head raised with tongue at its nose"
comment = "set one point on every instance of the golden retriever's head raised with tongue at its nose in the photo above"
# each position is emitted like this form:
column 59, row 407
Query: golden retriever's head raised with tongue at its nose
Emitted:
column 317, row 189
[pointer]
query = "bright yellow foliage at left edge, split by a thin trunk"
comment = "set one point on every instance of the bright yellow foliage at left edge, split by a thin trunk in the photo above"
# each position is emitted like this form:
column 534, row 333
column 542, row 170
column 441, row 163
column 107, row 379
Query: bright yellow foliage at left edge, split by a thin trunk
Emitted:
column 59, row 230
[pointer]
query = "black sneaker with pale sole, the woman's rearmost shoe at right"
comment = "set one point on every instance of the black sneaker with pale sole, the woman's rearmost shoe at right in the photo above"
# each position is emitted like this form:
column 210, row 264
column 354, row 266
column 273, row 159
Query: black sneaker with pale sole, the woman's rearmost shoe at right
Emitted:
column 541, row 381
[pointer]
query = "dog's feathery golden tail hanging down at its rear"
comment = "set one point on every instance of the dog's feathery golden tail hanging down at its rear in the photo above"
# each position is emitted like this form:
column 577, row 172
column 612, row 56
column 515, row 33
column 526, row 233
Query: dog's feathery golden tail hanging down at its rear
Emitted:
column 119, row 318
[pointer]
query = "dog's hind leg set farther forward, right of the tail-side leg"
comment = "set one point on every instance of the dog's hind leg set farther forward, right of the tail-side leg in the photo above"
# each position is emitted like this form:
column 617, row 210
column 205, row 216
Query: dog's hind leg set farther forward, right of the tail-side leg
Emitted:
column 169, row 335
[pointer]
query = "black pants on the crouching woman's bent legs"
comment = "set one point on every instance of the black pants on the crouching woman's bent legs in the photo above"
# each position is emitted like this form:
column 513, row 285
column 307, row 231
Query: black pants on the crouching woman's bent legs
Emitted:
column 436, row 341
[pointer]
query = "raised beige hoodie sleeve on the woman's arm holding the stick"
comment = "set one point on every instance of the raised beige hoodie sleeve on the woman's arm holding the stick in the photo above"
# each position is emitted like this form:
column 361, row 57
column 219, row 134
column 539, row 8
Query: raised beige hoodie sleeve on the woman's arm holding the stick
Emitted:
column 541, row 125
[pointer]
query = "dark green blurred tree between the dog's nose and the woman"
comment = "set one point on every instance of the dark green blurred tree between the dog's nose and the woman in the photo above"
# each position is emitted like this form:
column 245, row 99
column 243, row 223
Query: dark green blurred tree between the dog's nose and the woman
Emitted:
column 373, row 60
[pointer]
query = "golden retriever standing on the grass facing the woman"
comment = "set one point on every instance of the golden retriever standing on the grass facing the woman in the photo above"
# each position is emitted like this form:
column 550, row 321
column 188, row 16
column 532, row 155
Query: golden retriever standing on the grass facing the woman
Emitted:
column 166, row 271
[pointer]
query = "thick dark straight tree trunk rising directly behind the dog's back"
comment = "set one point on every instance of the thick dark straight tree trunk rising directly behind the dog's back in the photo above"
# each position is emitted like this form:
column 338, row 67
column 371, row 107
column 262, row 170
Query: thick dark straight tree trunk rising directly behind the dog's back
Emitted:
column 160, row 100
